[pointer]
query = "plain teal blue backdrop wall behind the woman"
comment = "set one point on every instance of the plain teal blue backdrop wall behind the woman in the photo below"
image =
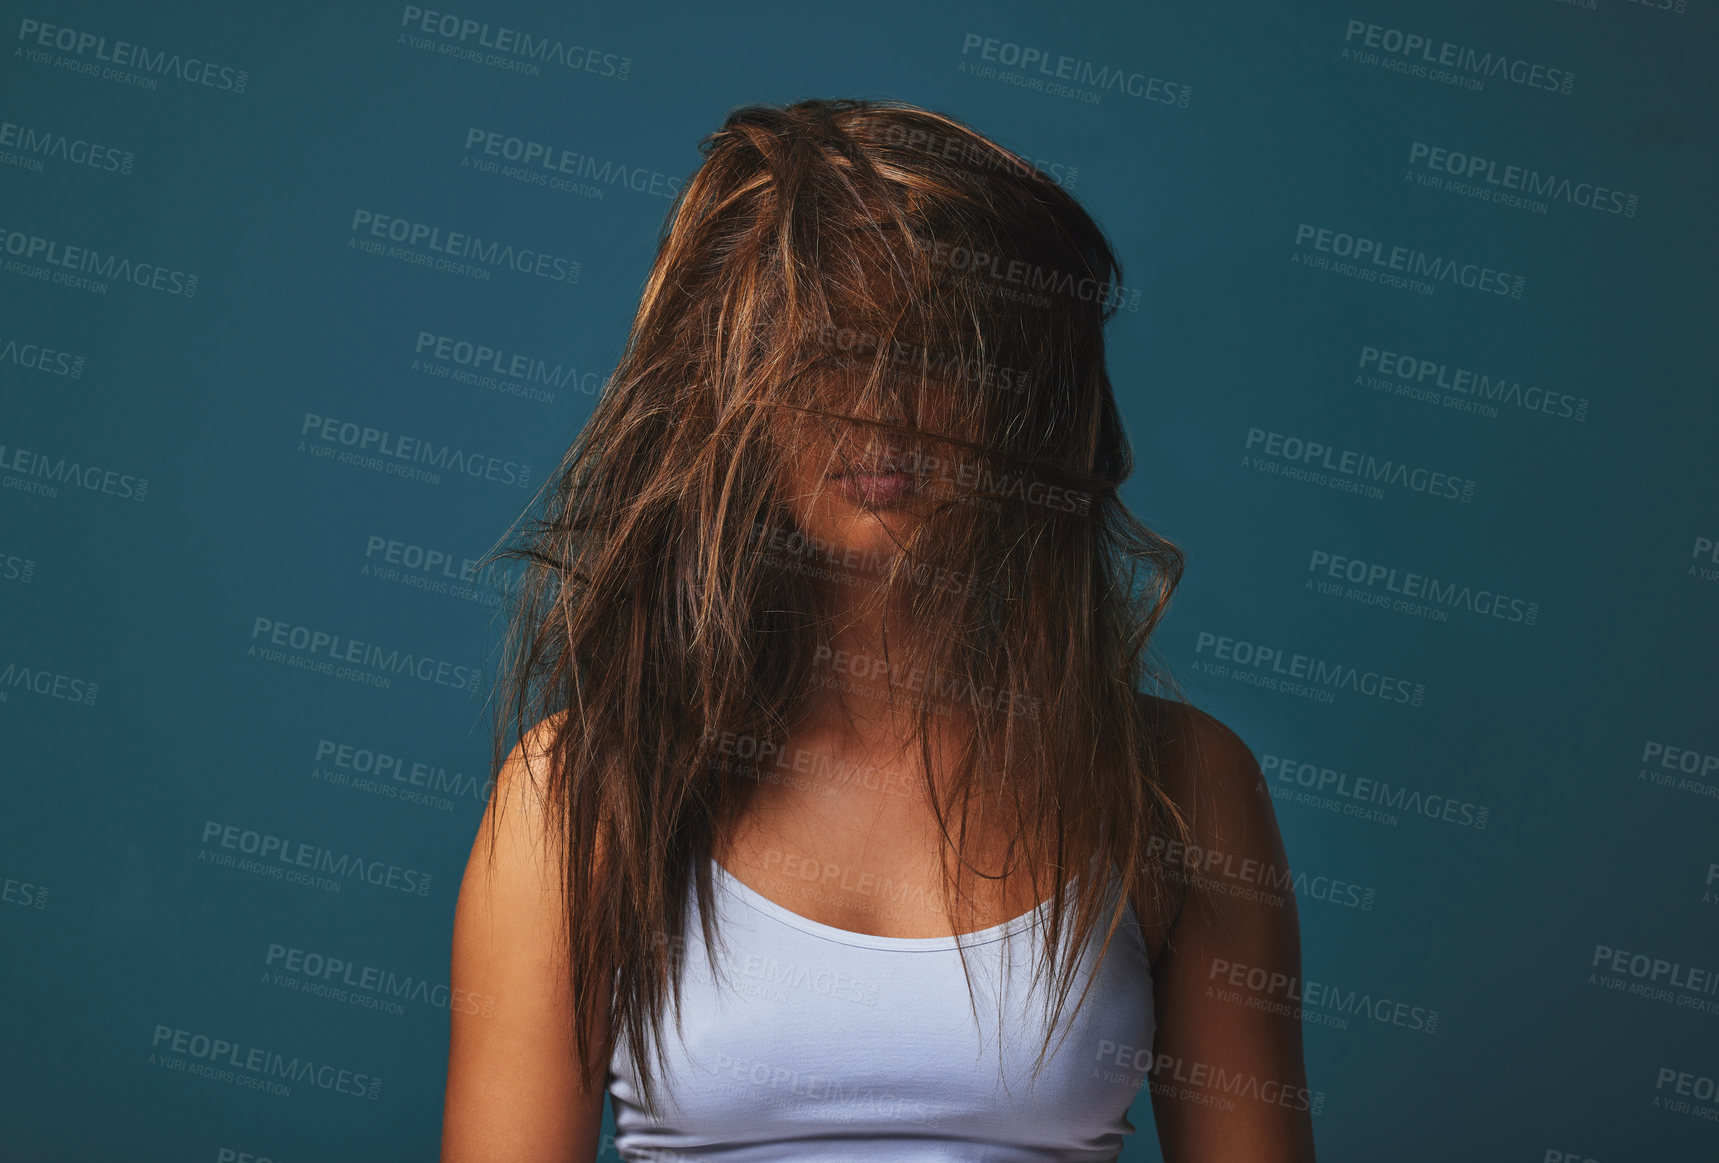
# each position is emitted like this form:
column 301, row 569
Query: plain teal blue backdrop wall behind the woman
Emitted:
column 106, row 803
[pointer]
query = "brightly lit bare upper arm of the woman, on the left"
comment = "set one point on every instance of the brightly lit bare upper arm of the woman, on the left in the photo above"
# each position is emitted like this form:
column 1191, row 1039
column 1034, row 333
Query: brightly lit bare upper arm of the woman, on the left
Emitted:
column 513, row 1083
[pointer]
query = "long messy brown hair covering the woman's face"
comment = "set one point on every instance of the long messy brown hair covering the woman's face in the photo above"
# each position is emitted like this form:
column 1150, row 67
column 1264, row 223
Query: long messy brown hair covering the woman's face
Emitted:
column 836, row 267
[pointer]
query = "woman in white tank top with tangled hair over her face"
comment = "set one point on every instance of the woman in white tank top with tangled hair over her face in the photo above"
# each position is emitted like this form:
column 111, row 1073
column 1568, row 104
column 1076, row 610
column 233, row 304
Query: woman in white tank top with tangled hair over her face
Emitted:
column 841, row 822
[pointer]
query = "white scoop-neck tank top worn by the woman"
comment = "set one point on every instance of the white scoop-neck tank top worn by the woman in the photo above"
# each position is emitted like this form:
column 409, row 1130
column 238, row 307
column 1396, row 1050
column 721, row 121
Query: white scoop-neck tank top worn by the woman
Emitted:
column 823, row 1044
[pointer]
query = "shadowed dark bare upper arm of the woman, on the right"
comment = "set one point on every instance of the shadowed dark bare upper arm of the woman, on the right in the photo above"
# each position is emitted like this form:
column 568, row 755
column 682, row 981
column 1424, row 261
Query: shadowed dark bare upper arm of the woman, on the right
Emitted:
column 1228, row 1076
